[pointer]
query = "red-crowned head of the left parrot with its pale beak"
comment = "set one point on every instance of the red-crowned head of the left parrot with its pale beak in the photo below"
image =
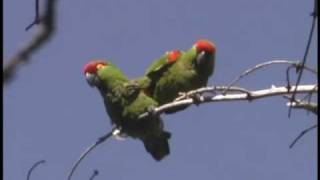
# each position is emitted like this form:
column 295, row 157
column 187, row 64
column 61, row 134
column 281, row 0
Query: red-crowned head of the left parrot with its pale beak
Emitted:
column 91, row 71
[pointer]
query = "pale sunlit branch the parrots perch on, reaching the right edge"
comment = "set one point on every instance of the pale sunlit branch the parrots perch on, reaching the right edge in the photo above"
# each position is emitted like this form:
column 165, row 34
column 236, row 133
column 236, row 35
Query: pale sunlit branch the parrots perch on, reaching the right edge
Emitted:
column 252, row 95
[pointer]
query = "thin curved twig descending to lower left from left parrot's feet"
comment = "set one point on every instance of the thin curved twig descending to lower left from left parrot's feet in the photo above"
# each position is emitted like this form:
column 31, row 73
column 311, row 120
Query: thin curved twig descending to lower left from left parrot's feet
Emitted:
column 100, row 140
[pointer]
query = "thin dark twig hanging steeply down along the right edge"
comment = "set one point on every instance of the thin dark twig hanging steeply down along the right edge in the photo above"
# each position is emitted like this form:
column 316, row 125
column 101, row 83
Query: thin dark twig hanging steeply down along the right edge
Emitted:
column 300, row 71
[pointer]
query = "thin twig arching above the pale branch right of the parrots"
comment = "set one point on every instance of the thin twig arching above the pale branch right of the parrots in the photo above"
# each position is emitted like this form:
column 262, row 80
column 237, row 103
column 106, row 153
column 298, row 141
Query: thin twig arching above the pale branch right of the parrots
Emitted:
column 264, row 64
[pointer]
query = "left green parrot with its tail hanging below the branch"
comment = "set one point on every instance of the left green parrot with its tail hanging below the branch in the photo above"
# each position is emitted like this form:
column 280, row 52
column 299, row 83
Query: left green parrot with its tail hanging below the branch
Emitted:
column 124, row 102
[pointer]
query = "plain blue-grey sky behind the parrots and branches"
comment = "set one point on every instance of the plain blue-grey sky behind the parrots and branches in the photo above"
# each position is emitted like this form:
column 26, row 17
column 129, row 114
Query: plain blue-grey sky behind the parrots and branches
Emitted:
column 51, row 113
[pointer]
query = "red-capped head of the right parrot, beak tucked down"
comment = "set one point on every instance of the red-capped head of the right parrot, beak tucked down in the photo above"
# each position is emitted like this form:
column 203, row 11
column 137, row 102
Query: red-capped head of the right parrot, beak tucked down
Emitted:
column 205, row 52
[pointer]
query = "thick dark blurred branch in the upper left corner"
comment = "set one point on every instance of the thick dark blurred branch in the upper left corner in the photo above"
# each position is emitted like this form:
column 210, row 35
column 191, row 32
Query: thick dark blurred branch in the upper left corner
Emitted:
column 45, row 32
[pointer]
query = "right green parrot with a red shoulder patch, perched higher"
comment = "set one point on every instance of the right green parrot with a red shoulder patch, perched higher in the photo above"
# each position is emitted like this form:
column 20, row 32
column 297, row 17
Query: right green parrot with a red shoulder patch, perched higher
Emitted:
column 189, row 70
